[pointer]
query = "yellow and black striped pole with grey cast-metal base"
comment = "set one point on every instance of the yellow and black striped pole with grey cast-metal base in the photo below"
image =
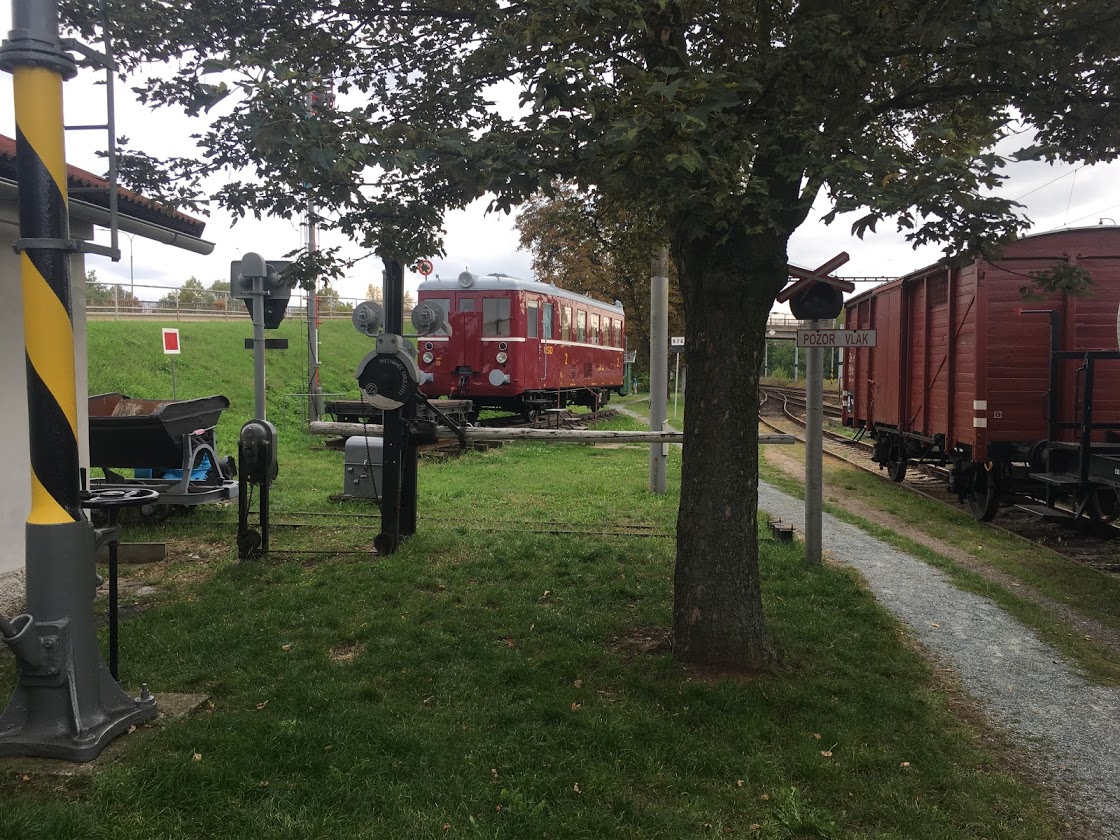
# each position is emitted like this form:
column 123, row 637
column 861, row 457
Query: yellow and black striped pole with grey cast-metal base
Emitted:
column 67, row 705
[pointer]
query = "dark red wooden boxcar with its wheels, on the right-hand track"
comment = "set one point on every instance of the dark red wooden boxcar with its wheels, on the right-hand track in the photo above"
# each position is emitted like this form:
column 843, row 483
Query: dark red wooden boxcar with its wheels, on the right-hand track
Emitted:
column 1019, row 394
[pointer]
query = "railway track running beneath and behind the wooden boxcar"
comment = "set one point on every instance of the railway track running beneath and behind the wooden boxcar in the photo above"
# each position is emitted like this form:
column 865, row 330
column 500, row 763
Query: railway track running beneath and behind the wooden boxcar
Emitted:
column 1098, row 547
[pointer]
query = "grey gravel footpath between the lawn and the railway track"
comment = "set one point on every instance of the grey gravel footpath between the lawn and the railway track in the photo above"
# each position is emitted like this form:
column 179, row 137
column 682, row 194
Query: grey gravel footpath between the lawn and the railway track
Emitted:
column 1021, row 682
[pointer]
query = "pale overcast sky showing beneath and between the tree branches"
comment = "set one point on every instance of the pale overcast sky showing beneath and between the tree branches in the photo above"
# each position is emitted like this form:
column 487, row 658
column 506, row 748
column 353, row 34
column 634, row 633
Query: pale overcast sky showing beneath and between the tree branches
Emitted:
column 1054, row 197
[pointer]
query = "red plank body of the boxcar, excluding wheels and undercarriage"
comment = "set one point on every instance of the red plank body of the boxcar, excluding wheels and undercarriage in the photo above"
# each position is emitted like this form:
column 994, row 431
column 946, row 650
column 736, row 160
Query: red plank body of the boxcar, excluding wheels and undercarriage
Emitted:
column 957, row 356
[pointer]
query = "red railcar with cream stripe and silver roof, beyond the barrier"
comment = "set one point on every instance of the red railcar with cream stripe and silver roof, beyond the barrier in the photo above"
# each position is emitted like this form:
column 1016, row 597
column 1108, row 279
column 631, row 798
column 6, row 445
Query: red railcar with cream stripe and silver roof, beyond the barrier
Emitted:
column 521, row 346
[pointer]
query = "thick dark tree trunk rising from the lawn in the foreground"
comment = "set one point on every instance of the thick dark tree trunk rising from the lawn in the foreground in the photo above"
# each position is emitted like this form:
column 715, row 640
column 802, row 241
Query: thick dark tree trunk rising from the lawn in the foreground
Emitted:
column 729, row 290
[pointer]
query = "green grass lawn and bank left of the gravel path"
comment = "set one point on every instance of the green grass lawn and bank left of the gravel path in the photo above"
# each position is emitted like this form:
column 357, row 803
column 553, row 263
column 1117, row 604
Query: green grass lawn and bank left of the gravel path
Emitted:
column 496, row 677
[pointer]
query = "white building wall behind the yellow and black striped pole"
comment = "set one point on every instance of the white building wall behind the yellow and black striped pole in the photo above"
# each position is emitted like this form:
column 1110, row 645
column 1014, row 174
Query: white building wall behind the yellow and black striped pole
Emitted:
column 16, row 489
